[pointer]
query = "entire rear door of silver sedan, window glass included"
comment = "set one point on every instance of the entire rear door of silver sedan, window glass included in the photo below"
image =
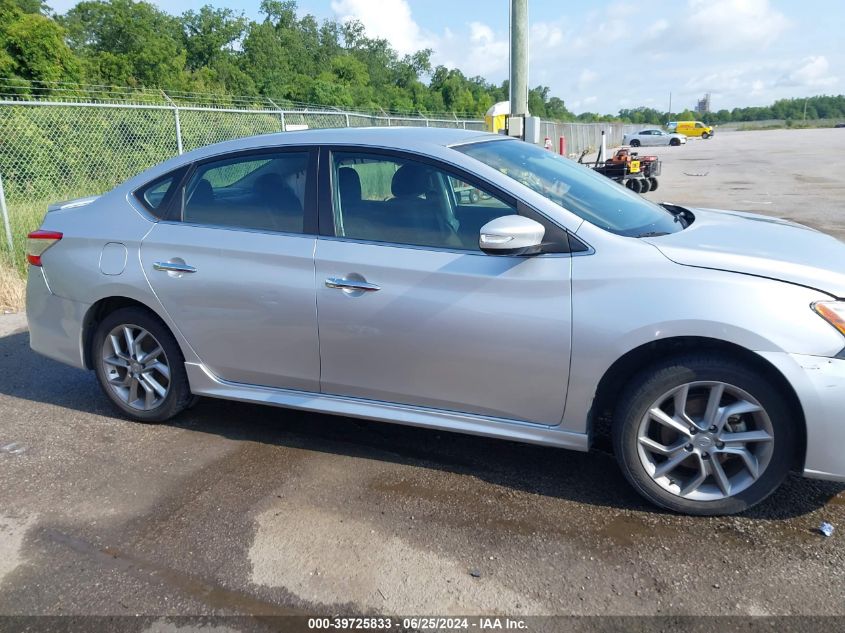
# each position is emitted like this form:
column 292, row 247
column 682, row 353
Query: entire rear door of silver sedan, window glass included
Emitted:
column 234, row 266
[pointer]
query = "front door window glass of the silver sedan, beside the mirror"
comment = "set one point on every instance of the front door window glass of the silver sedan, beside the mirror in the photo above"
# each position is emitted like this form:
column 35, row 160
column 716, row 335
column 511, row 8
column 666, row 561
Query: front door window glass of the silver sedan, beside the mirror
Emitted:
column 382, row 198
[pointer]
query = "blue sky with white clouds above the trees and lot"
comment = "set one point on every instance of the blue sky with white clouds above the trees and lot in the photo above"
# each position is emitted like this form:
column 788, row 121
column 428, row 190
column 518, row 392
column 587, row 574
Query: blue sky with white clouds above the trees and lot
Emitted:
column 603, row 56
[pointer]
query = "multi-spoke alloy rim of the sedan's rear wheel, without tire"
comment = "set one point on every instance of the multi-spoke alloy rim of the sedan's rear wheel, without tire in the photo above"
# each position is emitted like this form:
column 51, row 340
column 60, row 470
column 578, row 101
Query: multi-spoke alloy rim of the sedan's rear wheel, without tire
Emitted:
column 136, row 367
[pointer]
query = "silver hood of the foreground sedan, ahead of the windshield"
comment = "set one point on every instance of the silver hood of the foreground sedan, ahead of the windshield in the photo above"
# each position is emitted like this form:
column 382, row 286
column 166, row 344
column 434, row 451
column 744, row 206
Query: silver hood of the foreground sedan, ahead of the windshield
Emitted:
column 758, row 245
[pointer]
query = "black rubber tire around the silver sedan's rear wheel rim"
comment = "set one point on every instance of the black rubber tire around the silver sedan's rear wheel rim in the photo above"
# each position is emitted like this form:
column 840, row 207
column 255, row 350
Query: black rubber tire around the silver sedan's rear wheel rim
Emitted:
column 178, row 396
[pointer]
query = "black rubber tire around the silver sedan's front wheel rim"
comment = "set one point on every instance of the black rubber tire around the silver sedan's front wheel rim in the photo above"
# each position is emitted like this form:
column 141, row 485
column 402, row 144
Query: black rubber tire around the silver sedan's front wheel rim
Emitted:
column 640, row 395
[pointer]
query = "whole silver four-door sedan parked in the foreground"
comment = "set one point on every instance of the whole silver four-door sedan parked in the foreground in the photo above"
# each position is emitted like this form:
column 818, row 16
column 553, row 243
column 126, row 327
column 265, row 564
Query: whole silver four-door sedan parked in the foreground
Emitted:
column 342, row 271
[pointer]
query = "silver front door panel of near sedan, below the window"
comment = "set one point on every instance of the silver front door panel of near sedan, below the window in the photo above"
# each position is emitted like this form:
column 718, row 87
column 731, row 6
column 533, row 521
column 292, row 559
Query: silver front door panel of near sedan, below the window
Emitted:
column 459, row 331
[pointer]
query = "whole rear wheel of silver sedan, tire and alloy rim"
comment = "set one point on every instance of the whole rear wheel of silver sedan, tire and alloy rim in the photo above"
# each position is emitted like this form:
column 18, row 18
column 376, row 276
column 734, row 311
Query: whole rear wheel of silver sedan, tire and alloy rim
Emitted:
column 139, row 365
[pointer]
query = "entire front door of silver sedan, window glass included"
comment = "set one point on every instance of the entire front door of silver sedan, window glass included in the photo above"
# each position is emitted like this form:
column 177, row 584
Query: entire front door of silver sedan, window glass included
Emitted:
column 410, row 311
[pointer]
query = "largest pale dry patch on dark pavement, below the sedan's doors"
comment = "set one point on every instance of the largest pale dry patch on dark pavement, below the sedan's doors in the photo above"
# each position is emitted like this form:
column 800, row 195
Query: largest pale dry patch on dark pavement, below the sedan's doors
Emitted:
column 323, row 557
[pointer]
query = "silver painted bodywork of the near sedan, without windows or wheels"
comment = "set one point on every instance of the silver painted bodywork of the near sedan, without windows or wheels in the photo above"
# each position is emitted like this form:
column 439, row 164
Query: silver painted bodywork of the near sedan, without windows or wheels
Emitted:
column 621, row 294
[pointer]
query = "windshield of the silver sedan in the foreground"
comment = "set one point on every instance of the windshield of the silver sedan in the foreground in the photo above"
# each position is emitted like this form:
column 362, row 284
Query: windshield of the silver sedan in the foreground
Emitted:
column 575, row 187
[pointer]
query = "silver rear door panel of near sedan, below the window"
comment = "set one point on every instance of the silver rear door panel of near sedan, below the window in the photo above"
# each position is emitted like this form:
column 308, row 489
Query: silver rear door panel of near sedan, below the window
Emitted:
column 249, row 310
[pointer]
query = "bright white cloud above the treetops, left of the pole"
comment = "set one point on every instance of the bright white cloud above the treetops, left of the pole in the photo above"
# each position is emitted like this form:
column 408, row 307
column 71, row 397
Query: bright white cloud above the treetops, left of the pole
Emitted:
column 387, row 19
